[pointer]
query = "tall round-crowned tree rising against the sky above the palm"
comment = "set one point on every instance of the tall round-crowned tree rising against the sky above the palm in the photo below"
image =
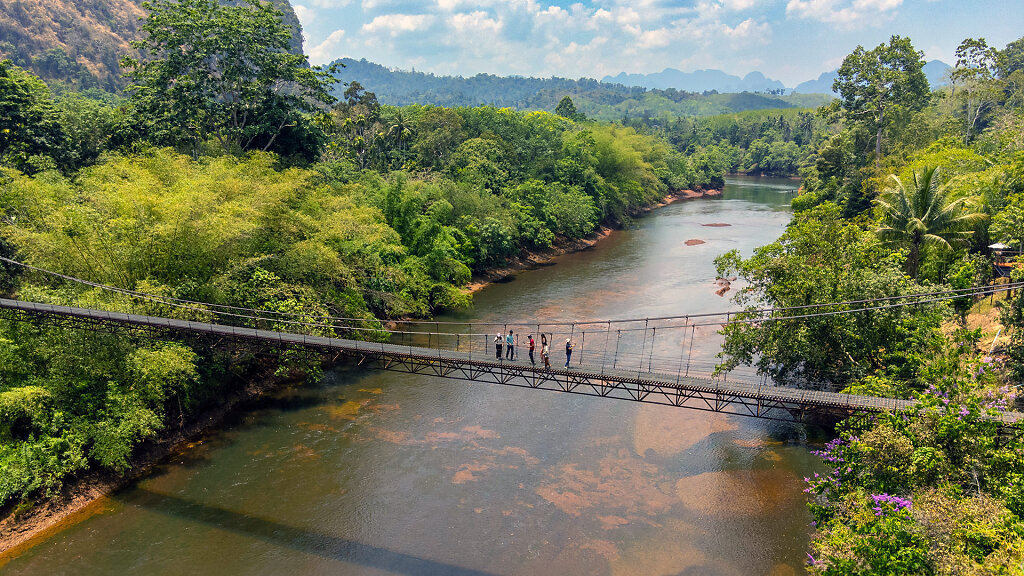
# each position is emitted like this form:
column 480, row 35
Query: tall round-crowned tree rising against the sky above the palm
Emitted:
column 875, row 86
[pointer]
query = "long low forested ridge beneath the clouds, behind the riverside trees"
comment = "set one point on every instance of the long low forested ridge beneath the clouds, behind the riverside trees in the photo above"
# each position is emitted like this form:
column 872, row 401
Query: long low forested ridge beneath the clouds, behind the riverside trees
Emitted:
column 595, row 100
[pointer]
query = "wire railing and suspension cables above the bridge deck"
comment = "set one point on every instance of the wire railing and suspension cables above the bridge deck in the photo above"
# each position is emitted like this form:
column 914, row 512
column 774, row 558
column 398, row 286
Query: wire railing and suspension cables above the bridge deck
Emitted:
column 684, row 346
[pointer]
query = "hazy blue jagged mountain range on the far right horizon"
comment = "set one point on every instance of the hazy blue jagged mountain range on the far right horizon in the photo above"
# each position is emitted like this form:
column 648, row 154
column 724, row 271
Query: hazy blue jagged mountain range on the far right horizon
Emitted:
column 718, row 81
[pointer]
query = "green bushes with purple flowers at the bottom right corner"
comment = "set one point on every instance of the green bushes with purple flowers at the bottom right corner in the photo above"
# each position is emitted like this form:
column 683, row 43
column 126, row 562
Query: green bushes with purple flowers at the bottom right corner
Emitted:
column 932, row 491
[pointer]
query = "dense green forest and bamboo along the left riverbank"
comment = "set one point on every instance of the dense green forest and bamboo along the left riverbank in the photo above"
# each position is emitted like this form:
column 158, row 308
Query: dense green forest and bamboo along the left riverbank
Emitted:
column 255, row 188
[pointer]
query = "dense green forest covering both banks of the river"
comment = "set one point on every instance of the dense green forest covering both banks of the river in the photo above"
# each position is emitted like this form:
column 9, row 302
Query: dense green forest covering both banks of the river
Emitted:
column 257, row 188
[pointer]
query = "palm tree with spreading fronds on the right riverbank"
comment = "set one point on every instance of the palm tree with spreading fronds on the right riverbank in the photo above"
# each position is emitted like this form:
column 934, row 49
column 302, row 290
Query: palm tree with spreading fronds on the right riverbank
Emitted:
column 925, row 216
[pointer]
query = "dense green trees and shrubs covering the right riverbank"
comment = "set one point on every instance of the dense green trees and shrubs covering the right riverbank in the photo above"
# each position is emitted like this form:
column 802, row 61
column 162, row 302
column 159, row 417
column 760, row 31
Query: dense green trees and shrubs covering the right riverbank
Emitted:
column 905, row 196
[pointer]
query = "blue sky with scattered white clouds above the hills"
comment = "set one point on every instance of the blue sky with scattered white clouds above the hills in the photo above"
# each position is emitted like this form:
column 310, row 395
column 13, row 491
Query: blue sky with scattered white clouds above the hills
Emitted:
column 787, row 40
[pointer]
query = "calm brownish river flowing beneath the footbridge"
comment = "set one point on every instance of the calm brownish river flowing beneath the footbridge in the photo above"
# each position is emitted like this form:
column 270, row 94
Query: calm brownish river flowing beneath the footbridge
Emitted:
column 373, row 473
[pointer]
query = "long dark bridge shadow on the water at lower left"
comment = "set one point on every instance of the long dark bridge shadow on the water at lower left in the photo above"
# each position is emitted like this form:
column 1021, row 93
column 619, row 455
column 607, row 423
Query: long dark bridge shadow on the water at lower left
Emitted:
column 301, row 540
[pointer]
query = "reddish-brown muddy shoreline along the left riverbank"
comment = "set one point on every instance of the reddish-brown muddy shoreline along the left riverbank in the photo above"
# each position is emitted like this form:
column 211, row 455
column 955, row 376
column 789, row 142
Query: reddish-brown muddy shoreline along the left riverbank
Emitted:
column 80, row 497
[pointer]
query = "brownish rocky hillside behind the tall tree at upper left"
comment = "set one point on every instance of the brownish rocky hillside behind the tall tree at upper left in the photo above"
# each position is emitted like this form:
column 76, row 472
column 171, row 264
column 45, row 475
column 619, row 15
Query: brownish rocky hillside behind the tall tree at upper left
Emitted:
column 80, row 43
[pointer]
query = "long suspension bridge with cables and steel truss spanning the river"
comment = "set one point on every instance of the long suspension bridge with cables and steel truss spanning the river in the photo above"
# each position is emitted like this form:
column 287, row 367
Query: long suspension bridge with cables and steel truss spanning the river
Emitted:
column 641, row 360
